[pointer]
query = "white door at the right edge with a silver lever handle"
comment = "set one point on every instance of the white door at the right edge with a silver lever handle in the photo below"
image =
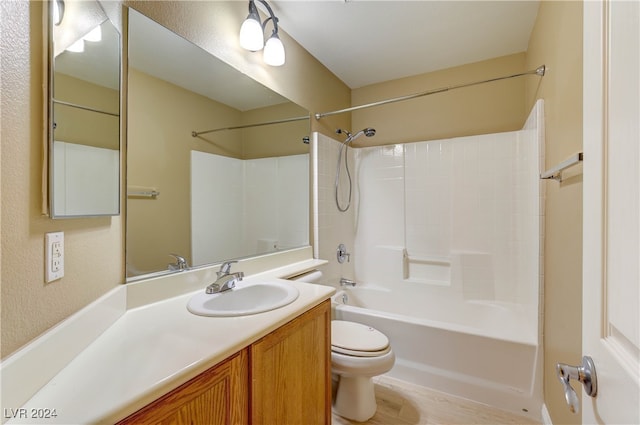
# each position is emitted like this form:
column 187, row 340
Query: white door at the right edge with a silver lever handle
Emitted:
column 611, row 255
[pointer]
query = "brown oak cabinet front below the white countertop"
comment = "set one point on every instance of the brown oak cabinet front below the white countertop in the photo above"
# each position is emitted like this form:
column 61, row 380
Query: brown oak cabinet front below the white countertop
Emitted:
column 283, row 378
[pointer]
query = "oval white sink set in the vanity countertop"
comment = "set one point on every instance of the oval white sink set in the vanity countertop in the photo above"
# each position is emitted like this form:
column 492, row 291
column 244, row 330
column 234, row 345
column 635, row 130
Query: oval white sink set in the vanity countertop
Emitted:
column 244, row 299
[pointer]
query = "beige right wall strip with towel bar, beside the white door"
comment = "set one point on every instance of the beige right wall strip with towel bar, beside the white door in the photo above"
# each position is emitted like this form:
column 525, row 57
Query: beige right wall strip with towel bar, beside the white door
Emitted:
column 557, row 42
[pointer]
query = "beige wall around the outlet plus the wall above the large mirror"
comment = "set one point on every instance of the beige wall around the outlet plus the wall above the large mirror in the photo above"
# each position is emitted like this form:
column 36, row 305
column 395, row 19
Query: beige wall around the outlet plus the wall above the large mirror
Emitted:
column 94, row 248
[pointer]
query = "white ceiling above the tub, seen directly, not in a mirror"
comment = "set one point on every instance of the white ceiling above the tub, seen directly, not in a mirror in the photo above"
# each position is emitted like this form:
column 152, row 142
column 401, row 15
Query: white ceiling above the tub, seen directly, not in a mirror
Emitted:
column 369, row 41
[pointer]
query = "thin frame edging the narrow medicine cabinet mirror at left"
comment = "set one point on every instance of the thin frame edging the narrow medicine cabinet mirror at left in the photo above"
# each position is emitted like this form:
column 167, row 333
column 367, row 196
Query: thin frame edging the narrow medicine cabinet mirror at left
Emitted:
column 48, row 207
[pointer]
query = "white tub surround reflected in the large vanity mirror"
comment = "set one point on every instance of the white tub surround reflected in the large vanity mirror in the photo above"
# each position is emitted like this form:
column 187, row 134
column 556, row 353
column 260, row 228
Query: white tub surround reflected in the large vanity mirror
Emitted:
column 255, row 223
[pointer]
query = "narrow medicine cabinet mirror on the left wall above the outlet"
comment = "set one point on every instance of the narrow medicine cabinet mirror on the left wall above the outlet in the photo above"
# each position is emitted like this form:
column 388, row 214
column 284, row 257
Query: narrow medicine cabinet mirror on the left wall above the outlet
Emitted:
column 84, row 111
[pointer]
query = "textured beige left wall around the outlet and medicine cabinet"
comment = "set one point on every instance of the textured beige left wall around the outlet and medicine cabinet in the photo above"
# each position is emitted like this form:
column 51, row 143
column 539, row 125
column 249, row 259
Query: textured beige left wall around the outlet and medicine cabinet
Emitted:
column 93, row 247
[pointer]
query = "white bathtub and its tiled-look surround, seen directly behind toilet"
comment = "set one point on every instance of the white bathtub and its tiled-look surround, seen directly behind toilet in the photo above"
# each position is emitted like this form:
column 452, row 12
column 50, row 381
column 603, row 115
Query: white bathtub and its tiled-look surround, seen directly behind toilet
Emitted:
column 446, row 251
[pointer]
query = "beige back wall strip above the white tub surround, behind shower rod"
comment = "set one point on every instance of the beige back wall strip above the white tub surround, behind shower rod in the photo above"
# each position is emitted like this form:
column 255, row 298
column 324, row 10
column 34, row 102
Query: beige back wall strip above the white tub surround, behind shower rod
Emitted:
column 486, row 108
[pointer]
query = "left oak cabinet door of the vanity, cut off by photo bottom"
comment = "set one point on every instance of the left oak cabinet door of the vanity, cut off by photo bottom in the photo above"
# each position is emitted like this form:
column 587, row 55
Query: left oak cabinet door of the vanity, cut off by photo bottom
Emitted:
column 217, row 396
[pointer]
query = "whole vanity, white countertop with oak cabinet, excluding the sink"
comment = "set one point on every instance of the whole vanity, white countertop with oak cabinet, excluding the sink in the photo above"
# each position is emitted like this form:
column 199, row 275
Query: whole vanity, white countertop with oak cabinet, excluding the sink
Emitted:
column 150, row 360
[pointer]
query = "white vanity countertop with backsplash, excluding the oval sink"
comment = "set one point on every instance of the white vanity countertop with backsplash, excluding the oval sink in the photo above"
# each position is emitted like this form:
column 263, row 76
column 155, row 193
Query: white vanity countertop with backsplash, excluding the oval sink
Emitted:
column 139, row 342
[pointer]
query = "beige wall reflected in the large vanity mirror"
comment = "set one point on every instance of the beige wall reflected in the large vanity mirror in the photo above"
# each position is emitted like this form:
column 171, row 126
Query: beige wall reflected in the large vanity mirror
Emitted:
column 161, row 119
